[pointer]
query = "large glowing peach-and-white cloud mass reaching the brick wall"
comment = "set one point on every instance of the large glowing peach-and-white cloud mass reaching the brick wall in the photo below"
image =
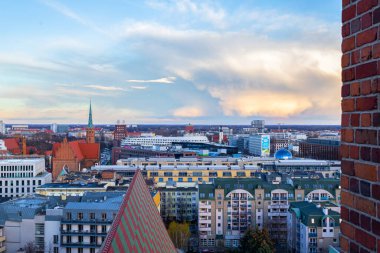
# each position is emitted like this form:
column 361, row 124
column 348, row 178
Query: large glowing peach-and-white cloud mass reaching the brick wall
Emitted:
column 252, row 75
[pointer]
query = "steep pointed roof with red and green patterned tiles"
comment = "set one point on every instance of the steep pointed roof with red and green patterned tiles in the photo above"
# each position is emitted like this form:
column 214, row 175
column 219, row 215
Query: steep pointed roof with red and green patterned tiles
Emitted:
column 138, row 226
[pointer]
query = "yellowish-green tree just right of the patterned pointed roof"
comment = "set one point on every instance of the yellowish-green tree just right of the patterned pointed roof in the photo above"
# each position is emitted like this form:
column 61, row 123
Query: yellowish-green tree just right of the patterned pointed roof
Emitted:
column 180, row 234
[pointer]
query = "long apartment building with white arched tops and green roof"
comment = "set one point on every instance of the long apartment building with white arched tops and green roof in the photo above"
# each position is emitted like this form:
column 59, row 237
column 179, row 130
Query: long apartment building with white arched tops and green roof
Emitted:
column 227, row 207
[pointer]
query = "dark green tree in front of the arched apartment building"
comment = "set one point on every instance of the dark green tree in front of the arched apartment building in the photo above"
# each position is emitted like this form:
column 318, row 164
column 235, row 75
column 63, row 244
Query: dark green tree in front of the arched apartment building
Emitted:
column 256, row 240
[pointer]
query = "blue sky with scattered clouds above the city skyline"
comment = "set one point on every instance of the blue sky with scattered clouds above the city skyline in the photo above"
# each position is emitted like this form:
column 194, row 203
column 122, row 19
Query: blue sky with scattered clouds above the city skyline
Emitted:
column 170, row 62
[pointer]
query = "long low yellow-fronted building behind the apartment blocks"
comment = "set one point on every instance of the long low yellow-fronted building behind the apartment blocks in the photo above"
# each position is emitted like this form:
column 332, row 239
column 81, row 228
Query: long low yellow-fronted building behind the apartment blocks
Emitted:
column 163, row 170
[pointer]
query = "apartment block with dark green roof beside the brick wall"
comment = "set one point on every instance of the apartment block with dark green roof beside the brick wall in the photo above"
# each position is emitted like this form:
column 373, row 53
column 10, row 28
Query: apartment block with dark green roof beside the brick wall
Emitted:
column 313, row 227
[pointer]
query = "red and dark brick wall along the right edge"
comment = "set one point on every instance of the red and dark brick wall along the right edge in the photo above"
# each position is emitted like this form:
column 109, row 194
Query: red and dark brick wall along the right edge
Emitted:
column 360, row 126
